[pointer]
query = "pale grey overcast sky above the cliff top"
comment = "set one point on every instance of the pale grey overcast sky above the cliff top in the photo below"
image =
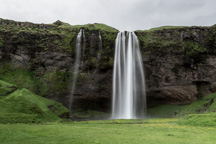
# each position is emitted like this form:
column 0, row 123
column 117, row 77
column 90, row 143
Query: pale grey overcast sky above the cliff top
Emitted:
column 121, row 14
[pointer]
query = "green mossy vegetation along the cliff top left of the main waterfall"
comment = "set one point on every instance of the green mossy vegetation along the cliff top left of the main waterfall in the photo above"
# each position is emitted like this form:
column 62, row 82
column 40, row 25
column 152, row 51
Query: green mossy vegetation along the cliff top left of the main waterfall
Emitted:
column 65, row 33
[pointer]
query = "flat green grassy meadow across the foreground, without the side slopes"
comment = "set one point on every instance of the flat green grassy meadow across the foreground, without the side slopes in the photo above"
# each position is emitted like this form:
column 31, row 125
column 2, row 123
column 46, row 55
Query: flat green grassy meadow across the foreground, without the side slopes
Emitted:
column 152, row 131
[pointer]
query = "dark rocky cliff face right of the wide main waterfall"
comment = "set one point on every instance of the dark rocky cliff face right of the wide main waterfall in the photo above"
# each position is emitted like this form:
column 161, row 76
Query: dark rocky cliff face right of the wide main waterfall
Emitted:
column 180, row 63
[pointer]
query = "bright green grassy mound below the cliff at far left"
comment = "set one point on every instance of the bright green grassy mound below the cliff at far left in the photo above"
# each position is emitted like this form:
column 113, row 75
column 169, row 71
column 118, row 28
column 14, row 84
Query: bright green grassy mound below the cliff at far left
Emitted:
column 23, row 106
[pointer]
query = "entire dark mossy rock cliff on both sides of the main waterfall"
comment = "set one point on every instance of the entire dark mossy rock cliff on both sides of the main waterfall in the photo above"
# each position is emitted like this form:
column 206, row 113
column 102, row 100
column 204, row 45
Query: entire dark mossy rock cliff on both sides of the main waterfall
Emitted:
column 179, row 62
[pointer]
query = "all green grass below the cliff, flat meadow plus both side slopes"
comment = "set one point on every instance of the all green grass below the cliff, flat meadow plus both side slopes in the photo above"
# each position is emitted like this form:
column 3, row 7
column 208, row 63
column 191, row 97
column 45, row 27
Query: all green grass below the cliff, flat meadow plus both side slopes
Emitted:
column 27, row 118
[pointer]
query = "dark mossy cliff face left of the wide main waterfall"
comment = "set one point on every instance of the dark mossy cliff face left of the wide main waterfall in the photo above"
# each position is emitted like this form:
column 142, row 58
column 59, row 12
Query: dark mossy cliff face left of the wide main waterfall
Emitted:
column 41, row 58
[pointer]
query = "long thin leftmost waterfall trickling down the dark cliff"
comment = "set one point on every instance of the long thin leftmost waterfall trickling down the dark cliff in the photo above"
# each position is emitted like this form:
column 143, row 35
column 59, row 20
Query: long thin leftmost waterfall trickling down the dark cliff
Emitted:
column 76, row 66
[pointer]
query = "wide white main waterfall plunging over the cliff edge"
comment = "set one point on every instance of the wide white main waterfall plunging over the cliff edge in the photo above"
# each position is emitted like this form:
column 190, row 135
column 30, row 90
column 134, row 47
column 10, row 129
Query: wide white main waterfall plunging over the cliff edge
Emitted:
column 129, row 96
